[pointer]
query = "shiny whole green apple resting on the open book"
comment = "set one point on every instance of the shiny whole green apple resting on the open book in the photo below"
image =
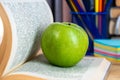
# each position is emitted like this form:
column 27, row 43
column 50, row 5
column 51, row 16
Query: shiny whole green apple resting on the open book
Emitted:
column 64, row 44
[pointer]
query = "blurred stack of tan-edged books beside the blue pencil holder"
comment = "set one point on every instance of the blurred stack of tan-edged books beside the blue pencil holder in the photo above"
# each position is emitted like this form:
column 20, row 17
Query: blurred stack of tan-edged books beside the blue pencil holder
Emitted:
column 114, row 20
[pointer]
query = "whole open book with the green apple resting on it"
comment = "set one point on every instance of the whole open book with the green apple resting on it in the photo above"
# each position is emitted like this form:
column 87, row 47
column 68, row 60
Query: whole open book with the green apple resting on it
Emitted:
column 23, row 22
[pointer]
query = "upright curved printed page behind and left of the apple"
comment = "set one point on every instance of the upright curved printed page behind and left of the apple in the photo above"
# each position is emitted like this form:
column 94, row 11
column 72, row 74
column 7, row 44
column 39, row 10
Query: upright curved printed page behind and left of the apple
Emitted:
column 28, row 19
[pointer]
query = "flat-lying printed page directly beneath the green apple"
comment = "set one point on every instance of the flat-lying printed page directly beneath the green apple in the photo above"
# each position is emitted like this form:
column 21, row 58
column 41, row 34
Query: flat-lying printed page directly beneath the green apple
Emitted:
column 40, row 67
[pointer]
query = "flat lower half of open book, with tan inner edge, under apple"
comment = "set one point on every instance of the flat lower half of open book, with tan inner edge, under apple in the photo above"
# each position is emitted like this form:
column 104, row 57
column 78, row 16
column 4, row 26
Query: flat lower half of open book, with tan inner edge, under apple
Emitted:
column 90, row 68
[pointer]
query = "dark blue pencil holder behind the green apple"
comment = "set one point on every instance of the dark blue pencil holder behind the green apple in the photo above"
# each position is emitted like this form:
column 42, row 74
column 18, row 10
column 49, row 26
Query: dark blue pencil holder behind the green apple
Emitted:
column 95, row 24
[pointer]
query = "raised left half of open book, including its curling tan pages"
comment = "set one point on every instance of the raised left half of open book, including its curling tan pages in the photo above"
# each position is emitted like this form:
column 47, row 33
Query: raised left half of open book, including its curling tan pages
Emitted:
column 23, row 22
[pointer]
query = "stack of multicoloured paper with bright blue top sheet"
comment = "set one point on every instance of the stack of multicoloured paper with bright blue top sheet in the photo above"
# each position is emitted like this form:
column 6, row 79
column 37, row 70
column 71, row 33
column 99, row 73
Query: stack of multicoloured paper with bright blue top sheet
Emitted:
column 108, row 48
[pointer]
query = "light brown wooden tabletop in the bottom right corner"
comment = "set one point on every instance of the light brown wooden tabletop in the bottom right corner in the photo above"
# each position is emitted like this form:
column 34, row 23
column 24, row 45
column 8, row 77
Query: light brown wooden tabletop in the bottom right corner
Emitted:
column 114, row 72
